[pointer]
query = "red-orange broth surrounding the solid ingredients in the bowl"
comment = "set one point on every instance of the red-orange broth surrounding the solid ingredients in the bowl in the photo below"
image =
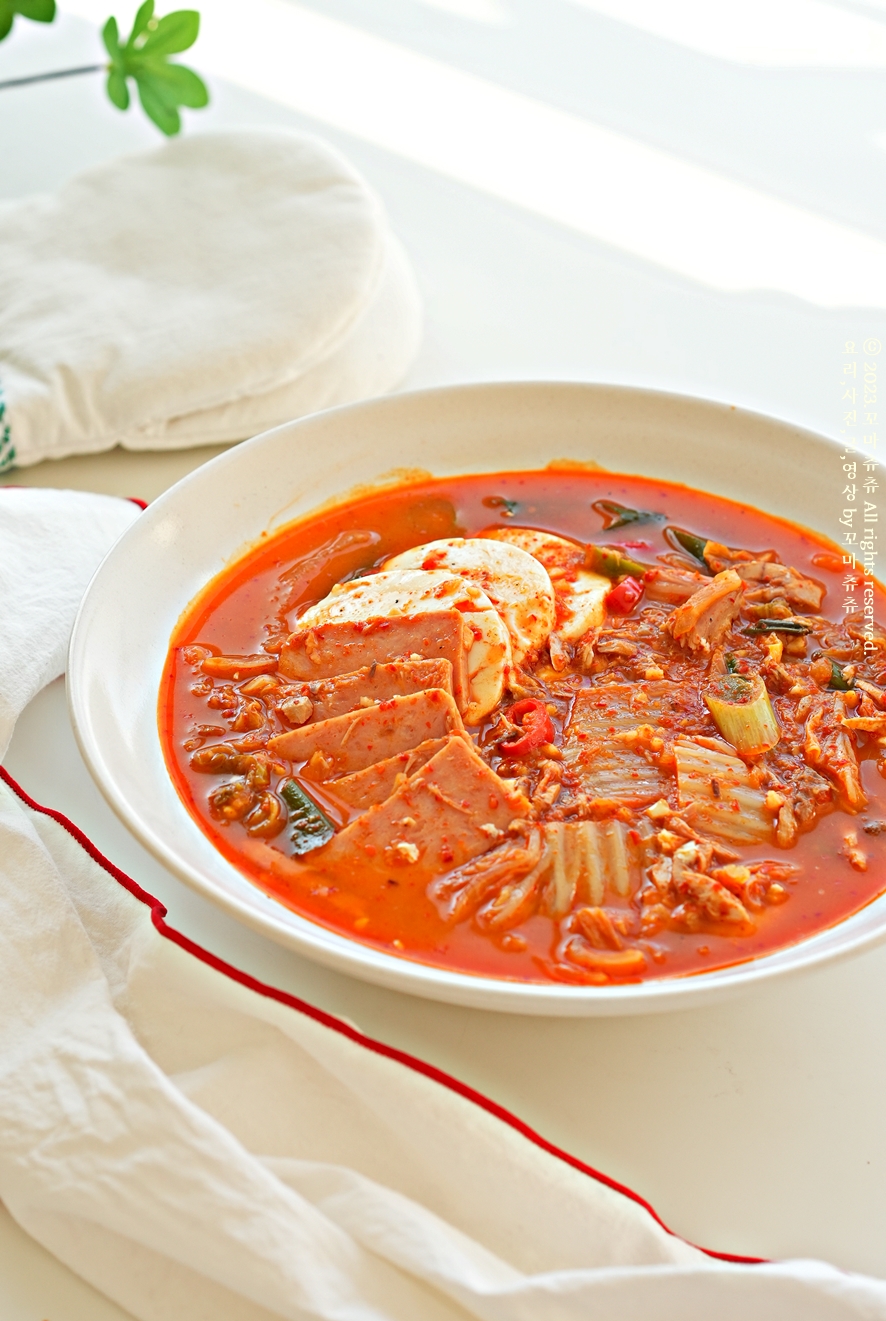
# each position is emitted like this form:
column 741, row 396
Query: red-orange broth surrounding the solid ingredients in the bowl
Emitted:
column 253, row 606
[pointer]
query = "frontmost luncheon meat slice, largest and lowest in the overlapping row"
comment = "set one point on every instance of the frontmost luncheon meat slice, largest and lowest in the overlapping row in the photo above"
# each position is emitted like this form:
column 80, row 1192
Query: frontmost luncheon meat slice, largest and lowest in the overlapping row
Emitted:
column 451, row 810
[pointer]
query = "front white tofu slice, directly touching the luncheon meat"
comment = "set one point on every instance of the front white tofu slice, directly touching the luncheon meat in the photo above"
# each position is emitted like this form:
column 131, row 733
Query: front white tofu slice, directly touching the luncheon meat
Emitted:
column 398, row 592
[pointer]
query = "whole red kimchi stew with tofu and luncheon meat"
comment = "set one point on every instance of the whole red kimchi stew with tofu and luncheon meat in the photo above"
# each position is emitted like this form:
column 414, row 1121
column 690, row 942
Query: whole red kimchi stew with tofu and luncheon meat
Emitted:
column 542, row 726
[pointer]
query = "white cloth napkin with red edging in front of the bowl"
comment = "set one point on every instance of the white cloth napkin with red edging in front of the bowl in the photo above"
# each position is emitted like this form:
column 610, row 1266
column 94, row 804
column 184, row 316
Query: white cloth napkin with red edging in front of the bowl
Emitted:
column 204, row 1149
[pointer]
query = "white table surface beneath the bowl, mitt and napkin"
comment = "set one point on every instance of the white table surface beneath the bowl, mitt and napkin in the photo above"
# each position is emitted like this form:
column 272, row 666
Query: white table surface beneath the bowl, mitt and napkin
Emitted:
column 757, row 1126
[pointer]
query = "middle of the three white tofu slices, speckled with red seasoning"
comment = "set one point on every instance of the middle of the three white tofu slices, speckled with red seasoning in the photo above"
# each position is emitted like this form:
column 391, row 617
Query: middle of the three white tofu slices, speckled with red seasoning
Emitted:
column 514, row 581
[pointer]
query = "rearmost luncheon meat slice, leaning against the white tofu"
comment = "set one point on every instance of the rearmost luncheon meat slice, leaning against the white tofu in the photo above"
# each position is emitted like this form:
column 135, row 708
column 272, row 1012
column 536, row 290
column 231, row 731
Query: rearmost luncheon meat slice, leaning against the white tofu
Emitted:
column 329, row 651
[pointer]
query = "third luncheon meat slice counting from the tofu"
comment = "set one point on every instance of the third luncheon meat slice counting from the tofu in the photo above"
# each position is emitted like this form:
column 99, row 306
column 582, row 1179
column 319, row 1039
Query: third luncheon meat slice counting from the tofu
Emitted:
column 344, row 744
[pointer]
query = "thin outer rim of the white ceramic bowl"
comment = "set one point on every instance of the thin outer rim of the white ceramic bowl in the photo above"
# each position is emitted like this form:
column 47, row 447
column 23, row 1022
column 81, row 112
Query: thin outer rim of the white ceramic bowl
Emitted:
column 368, row 962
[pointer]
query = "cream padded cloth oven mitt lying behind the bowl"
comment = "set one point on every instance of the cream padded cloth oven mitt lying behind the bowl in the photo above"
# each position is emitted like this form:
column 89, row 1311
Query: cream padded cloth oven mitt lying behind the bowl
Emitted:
column 196, row 294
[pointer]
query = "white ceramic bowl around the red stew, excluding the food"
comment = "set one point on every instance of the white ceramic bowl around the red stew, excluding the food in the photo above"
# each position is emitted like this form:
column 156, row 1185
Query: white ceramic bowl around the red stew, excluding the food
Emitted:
column 188, row 536
